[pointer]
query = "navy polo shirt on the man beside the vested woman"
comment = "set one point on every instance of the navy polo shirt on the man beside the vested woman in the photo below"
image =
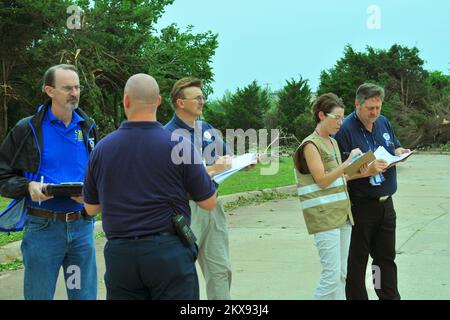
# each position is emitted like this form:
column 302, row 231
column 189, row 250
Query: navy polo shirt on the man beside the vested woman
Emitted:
column 353, row 134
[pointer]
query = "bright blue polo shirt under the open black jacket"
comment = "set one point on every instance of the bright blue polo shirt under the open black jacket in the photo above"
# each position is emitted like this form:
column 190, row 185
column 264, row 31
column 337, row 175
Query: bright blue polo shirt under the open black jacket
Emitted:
column 63, row 159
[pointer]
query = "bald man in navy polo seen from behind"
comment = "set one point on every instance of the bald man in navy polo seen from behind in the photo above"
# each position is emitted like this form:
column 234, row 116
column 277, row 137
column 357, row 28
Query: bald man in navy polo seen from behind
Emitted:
column 138, row 183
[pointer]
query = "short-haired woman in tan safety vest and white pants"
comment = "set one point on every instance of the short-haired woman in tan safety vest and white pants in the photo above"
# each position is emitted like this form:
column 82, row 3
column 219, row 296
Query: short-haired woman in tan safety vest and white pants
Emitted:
column 323, row 195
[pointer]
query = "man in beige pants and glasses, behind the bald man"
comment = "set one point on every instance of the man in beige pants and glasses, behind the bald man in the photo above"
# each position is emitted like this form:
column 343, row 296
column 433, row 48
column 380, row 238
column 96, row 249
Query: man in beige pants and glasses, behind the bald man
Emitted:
column 210, row 227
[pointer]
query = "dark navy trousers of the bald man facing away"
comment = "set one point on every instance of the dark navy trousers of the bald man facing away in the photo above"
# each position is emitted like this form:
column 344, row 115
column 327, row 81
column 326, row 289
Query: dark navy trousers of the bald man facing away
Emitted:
column 153, row 268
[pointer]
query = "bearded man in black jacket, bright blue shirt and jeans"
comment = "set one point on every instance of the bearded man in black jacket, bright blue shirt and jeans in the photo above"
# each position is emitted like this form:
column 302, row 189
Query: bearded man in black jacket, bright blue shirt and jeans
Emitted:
column 53, row 147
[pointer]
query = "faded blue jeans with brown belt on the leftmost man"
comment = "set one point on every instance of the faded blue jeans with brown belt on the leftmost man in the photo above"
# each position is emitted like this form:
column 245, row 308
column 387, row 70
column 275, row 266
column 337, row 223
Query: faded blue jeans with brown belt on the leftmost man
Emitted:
column 46, row 246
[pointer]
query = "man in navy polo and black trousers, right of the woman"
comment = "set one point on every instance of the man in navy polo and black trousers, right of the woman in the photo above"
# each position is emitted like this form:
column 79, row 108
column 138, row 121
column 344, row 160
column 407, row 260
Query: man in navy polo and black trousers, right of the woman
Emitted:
column 371, row 197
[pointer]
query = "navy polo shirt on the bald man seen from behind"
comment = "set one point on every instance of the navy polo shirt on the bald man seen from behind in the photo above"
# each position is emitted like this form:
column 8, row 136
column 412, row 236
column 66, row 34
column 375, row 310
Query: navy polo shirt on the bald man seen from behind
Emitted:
column 132, row 176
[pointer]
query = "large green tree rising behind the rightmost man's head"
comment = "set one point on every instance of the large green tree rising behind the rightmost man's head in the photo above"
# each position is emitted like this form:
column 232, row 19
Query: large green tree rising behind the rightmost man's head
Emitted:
column 400, row 71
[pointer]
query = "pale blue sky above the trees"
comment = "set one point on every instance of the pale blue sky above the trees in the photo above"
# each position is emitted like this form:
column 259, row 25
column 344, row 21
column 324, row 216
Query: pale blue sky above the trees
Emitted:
column 272, row 41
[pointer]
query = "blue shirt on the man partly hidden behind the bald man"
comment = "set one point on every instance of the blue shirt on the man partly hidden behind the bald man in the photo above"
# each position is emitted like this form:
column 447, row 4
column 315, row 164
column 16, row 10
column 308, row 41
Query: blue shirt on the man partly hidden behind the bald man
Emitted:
column 204, row 135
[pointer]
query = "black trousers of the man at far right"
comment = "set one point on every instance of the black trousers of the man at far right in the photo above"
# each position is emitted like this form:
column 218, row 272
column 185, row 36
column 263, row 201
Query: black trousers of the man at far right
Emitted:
column 374, row 234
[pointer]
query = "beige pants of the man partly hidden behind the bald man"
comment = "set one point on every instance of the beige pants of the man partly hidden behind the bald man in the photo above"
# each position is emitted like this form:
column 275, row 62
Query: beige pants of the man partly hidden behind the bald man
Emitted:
column 211, row 230
